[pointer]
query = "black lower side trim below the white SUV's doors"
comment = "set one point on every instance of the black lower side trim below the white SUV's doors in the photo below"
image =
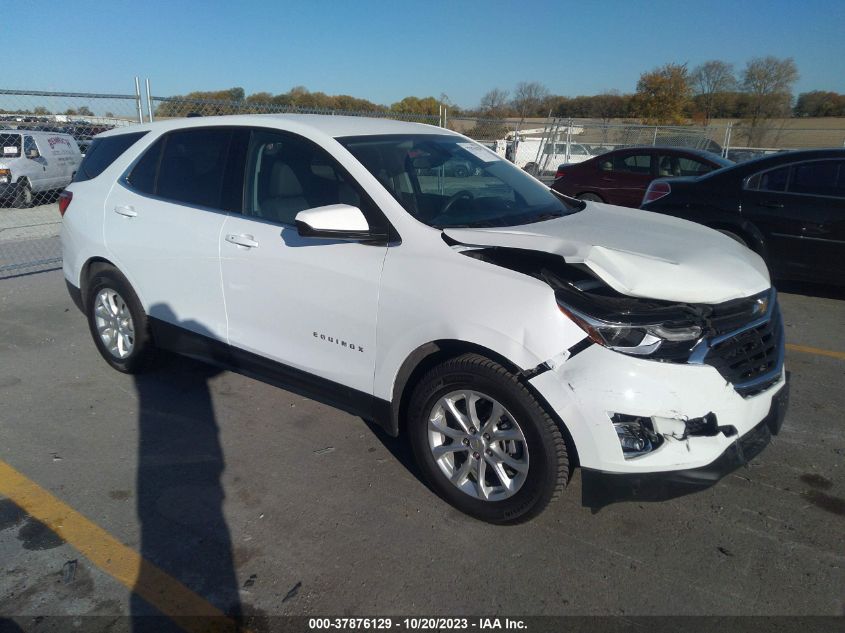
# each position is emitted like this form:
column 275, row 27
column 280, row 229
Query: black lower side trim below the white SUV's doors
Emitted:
column 181, row 341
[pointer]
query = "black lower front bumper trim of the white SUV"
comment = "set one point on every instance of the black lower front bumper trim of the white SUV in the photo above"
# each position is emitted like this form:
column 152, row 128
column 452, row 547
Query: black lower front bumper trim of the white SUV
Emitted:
column 601, row 488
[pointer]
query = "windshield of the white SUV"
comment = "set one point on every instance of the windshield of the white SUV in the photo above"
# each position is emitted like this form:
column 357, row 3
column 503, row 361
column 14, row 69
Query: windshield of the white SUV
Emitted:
column 448, row 181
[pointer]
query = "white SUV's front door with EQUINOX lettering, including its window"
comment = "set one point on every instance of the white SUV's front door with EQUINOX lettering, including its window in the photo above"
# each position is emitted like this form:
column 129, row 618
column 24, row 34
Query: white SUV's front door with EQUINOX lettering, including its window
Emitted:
column 306, row 307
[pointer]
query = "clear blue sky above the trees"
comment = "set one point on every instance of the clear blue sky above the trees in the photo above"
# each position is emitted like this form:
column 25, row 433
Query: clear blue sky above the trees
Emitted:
column 384, row 51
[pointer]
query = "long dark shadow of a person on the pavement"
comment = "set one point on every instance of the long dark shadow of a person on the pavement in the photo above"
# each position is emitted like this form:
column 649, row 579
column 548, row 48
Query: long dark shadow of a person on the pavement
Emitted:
column 180, row 494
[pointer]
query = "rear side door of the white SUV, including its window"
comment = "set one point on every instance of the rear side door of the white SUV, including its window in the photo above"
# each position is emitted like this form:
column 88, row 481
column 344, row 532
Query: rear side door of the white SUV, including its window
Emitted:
column 162, row 226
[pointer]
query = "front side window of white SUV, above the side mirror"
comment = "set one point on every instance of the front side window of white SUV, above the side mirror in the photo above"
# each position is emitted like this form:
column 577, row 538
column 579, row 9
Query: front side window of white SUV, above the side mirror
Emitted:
column 287, row 174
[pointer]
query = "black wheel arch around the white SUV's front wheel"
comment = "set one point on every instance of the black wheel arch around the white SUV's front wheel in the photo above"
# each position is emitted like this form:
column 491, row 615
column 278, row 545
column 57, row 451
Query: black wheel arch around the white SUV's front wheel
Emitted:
column 433, row 353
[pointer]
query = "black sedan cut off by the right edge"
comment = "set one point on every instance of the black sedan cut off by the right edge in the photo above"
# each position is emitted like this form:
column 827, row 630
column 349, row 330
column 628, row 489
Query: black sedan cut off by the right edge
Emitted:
column 788, row 207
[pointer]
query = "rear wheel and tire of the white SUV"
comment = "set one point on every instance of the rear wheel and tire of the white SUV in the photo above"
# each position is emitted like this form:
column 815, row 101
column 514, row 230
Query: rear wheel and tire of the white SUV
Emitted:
column 115, row 314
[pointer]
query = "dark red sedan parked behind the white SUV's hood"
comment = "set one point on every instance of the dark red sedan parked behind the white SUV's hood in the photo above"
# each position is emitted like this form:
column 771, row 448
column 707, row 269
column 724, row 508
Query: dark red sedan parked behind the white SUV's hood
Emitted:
column 621, row 177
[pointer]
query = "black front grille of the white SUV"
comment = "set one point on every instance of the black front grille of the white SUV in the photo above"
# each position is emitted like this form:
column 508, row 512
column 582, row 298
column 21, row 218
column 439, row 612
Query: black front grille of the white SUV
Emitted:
column 751, row 360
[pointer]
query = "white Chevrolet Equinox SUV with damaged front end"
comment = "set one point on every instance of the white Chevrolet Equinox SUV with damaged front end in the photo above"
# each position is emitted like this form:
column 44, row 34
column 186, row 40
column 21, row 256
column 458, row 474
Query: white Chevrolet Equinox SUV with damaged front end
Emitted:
column 511, row 333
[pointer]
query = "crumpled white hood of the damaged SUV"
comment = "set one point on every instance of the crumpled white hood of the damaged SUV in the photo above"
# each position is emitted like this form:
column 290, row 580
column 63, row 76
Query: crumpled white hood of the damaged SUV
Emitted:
column 638, row 253
